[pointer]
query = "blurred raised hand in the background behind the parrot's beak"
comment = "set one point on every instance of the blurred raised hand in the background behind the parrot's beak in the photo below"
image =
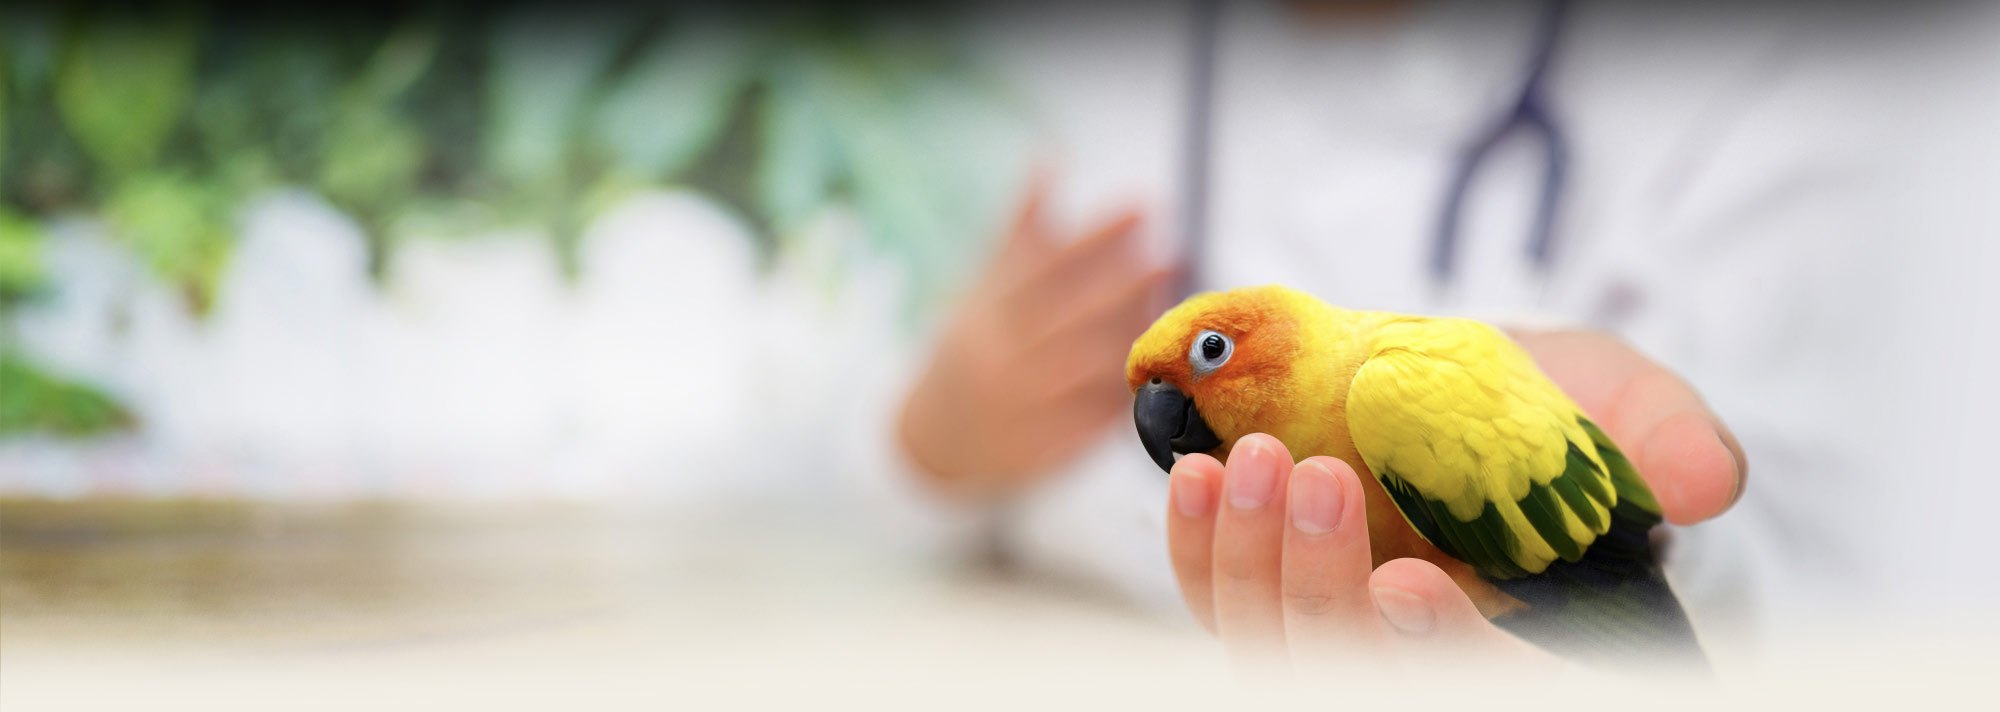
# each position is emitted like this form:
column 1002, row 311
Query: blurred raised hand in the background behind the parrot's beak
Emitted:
column 1031, row 369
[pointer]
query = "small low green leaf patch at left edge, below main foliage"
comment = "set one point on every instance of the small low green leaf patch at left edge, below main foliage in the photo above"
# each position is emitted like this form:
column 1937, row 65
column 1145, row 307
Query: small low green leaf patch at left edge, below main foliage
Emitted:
column 35, row 401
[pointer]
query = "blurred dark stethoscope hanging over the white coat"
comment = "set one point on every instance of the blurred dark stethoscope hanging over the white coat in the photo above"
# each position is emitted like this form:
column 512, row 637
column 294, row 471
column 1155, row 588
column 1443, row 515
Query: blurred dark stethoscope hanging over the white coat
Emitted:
column 1529, row 115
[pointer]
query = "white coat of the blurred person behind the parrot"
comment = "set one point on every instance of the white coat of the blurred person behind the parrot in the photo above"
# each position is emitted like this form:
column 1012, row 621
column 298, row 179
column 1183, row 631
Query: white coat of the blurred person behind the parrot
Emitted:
column 1757, row 197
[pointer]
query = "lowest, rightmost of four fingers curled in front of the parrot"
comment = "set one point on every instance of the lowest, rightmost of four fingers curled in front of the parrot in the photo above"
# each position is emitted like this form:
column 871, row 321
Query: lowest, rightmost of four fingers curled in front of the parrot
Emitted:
column 1427, row 615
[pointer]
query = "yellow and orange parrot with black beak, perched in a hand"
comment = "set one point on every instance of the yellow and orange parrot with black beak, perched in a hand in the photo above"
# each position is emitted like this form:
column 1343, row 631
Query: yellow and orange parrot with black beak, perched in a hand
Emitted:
column 1497, row 475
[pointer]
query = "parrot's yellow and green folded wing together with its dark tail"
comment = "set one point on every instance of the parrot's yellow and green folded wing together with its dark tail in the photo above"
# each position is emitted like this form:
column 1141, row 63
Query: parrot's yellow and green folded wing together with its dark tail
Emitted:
column 1489, row 461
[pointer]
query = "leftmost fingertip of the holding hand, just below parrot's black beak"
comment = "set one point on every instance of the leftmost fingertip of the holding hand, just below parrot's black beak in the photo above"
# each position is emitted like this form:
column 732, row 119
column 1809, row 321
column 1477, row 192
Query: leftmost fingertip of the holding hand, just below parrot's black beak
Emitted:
column 1191, row 527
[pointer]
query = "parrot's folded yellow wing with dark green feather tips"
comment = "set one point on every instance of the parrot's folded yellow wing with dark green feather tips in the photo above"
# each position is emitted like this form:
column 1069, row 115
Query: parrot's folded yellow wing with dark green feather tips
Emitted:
column 1463, row 429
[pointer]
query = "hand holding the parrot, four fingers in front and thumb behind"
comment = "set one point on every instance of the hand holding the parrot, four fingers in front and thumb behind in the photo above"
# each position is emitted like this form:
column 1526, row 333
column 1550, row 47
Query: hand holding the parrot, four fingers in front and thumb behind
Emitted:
column 1275, row 559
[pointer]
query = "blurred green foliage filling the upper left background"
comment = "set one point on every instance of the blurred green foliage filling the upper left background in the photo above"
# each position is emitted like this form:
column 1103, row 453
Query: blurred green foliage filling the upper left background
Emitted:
column 443, row 121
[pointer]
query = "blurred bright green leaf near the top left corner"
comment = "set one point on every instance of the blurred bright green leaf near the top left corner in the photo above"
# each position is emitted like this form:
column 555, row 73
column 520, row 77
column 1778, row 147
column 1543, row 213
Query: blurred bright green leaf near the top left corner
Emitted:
column 121, row 85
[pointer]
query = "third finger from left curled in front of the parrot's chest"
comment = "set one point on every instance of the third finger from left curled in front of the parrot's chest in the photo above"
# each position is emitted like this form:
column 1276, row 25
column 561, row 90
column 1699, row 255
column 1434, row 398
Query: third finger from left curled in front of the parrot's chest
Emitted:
column 1327, row 563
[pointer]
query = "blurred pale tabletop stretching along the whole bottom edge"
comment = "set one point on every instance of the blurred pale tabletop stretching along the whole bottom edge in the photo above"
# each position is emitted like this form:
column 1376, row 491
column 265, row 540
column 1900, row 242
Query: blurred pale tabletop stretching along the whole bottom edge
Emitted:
column 557, row 607
